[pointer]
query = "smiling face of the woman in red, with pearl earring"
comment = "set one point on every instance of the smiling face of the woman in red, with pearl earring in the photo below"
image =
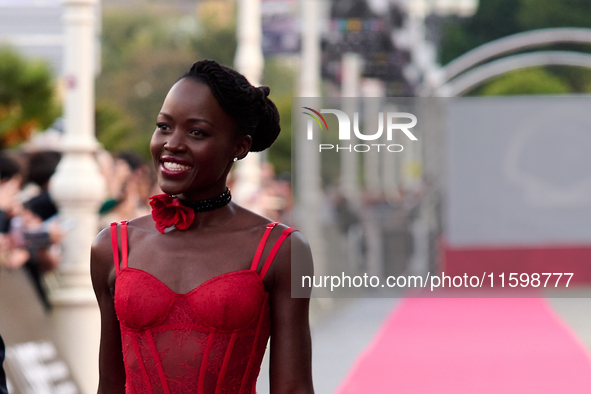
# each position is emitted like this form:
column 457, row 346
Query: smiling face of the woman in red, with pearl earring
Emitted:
column 194, row 142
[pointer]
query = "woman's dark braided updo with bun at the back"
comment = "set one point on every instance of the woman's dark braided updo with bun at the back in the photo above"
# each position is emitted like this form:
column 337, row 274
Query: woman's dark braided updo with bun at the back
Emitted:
column 254, row 113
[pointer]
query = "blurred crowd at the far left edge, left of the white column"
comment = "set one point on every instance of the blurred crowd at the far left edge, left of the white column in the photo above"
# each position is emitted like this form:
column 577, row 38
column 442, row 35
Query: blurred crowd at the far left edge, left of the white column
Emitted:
column 30, row 234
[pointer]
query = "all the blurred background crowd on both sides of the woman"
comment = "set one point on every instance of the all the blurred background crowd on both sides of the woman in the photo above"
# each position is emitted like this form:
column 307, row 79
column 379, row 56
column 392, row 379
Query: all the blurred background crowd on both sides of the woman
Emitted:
column 31, row 232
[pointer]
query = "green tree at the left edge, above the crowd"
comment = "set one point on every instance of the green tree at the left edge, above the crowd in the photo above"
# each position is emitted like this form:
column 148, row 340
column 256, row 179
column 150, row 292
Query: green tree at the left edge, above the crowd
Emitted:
column 27, row 97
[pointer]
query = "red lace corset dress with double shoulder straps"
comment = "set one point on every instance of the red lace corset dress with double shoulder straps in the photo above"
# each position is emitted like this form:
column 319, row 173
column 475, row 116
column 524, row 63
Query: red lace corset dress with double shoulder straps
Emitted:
column 209, row 340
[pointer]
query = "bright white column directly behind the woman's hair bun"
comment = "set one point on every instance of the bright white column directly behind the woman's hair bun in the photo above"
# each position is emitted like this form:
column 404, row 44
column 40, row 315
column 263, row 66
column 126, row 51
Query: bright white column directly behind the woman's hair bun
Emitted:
column 250, row 62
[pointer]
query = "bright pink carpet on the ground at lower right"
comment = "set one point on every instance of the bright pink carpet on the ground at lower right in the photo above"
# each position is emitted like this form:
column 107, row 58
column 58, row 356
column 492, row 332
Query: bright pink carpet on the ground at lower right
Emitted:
column 472, row 346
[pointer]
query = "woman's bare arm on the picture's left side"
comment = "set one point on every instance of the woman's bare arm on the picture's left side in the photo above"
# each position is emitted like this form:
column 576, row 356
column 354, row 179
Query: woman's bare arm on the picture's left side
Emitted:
column 111, row 368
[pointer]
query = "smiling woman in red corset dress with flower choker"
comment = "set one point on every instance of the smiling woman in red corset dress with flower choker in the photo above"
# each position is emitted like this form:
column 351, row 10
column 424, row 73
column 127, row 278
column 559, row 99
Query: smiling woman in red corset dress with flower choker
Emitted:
column 190, row 295
